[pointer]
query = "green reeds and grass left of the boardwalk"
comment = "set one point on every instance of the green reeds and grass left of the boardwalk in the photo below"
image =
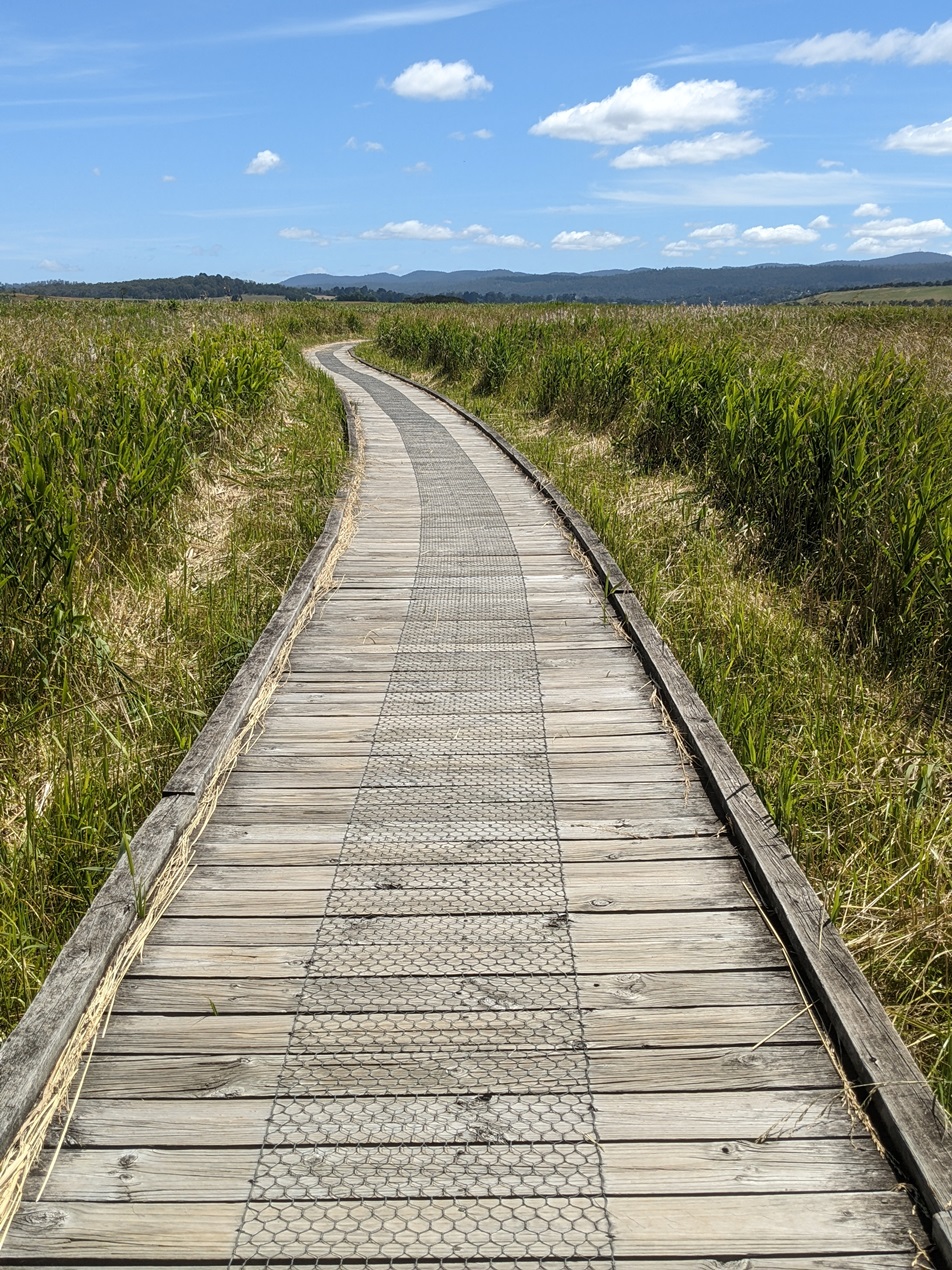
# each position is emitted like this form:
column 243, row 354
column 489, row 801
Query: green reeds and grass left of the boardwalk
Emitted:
column 164, row 469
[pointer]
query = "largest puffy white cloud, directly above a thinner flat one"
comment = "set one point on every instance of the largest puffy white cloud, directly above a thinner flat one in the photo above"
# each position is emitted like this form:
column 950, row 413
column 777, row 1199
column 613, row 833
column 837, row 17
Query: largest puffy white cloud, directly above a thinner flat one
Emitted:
column 645, row 106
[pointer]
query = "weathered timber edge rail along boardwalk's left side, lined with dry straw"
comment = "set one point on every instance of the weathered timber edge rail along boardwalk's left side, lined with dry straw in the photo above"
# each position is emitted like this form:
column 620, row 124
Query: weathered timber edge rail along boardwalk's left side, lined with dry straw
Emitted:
column 44, row 1053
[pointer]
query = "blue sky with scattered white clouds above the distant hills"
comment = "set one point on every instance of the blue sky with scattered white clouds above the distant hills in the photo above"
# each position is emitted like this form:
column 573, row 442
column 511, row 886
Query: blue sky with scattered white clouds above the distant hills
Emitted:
column 266, row 140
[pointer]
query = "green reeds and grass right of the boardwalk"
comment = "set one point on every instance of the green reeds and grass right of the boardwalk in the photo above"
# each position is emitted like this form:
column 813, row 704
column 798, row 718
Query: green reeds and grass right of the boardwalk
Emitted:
column 777, row 486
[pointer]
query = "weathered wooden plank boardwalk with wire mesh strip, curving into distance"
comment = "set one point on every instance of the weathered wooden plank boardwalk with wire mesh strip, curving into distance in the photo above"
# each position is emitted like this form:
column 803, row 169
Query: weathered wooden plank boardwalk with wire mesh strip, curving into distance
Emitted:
column 468, row 971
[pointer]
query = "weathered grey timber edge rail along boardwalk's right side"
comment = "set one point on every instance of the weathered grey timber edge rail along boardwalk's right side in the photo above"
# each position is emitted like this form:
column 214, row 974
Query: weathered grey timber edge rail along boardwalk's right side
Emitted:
column 884, row 1075
